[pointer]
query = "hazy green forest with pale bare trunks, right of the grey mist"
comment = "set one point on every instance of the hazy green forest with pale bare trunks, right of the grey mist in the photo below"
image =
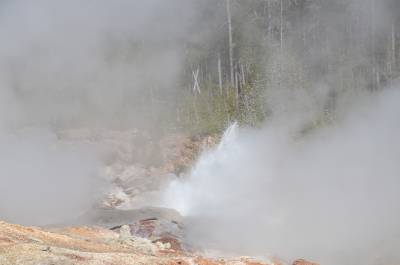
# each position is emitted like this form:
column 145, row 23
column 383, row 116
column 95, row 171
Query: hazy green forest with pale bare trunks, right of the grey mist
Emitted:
column 242, row 52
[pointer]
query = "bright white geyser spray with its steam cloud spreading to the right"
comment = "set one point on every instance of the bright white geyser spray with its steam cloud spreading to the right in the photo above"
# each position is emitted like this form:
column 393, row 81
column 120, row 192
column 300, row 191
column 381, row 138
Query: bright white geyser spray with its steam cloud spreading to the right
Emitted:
column 331, row 195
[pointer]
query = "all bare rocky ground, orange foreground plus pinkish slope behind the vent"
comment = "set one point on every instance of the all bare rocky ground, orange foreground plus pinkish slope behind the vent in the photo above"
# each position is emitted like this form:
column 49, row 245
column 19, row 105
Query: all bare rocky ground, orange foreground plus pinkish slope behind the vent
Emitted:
column 119, row 231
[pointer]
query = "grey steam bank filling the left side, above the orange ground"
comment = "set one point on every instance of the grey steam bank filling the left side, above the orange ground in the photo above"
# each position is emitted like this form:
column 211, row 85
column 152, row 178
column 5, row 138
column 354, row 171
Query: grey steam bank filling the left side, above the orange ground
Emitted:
column 74, row 64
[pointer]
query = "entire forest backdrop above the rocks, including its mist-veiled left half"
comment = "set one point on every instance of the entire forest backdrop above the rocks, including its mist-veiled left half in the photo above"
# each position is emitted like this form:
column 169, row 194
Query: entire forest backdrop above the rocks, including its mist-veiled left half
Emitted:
column 197, row 66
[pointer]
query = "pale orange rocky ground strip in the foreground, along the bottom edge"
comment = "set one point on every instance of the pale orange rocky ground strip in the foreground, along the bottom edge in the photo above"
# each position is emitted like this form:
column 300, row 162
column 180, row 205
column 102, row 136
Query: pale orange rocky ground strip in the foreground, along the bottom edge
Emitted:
column 100, row 246
